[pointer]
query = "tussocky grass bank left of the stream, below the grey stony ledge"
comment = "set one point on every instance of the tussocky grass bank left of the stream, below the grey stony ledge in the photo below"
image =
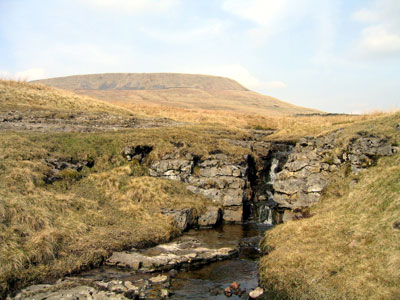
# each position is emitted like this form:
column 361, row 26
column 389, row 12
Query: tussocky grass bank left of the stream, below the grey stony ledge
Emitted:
column 52, row 230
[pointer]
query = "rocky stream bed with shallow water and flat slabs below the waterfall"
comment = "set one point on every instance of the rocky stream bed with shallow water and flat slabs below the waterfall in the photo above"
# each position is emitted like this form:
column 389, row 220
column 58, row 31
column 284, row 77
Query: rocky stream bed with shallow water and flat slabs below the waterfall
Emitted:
column 199, row 279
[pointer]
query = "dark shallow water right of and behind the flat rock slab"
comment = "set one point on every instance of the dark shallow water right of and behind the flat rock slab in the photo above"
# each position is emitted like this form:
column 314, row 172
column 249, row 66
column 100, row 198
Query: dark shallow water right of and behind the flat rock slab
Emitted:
column 209, row 281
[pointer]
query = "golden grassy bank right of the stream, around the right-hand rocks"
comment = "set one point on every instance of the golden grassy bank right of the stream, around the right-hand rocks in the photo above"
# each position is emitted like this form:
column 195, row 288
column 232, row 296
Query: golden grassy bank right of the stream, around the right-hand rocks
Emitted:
column 350, row 247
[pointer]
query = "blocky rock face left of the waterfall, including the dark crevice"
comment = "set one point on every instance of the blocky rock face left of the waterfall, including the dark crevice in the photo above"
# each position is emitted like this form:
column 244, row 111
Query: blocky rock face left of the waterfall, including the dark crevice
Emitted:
column 235, row 185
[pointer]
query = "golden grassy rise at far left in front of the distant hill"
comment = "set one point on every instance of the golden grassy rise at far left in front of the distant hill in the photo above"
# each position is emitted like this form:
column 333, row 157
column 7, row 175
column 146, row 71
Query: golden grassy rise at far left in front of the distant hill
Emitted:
column 25, row 106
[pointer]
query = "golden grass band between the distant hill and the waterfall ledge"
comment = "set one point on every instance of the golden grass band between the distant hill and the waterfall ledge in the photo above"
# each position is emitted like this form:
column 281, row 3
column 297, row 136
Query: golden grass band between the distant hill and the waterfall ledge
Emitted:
column 285, row 127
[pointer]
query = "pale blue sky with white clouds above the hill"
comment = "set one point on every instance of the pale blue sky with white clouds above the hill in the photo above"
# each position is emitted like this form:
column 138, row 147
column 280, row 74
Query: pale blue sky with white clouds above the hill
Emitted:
column 333, row 55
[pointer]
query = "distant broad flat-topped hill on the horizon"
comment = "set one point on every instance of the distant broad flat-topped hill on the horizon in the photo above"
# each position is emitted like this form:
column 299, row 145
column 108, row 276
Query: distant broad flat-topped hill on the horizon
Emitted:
column 176, row 90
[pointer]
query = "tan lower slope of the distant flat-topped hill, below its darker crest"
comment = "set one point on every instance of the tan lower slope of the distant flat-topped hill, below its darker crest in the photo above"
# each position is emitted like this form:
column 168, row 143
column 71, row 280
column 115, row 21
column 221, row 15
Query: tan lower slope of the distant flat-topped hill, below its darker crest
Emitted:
column 212, row 100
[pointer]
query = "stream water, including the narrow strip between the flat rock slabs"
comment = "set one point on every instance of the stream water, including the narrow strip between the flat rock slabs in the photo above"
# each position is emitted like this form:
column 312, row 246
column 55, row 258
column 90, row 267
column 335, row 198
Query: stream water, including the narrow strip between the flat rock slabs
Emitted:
column 206, row 281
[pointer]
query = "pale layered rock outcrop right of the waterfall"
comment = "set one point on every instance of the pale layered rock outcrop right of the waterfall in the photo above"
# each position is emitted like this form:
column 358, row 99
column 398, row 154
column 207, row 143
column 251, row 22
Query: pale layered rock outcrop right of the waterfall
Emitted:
column 305, row 174
